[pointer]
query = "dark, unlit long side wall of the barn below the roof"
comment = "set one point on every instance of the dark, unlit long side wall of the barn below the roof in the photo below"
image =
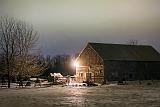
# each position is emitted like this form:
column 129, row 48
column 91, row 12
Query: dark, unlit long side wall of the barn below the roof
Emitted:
column 131, row 70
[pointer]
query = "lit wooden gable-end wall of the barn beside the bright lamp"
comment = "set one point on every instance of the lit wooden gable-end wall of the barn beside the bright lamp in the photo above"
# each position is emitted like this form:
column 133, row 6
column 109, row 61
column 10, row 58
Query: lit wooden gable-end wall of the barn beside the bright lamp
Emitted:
column 91, row 66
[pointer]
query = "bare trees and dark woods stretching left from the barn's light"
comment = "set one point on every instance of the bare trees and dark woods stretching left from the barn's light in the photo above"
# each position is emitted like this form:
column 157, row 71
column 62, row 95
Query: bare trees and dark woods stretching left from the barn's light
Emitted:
column 20, row 55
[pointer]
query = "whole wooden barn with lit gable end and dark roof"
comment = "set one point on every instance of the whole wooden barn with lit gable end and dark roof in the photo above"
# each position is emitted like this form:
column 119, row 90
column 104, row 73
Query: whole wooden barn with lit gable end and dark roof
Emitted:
column 99, row 62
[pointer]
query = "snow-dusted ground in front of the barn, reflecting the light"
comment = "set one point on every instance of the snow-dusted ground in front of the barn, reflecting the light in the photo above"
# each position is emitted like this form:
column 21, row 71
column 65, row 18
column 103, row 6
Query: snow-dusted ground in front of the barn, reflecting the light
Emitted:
column 105, row 96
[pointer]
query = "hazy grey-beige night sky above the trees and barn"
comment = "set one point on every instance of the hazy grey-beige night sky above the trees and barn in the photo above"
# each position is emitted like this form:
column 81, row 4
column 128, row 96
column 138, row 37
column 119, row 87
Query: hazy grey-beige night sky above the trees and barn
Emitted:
column 65, row 26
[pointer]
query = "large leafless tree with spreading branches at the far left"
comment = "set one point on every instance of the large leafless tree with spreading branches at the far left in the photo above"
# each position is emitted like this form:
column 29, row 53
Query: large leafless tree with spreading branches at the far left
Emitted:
column 17, row 41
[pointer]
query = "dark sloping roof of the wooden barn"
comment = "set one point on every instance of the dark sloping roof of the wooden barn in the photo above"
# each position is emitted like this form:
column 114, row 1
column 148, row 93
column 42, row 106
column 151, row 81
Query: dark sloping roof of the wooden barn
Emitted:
column 125, row 52
